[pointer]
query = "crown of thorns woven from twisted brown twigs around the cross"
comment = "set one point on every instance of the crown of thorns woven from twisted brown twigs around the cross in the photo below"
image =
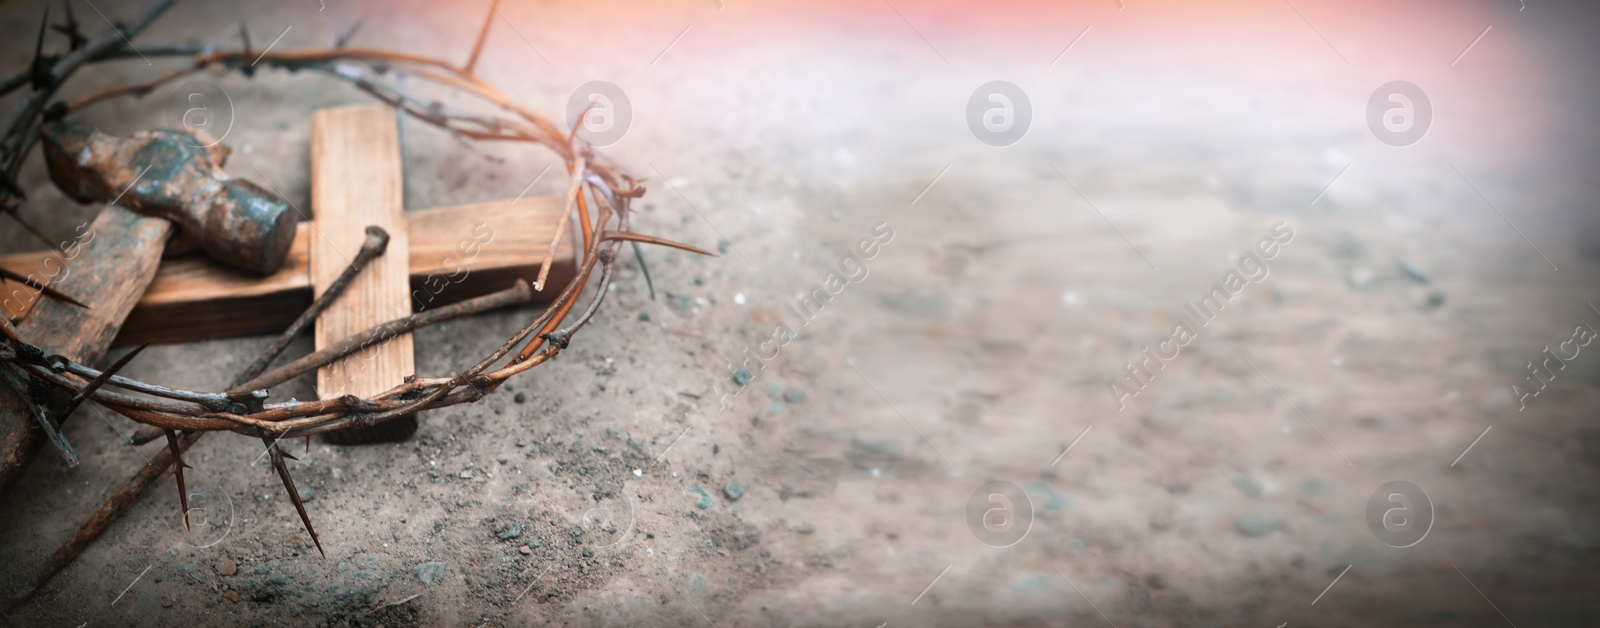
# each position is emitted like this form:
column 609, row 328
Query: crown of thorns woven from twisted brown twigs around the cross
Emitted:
column 598, row 198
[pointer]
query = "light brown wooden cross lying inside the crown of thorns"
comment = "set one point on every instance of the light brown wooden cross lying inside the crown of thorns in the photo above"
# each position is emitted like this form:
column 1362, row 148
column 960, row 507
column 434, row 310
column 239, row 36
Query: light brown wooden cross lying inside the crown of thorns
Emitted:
column 434, row 257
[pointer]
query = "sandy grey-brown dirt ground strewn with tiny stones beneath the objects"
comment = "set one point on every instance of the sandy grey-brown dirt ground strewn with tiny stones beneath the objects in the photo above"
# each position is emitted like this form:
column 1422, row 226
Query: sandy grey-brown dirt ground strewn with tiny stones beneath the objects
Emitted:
column 847, row 483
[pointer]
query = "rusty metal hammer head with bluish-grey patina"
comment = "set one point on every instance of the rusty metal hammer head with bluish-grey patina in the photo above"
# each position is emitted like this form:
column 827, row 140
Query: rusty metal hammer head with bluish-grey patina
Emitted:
column 172, row 175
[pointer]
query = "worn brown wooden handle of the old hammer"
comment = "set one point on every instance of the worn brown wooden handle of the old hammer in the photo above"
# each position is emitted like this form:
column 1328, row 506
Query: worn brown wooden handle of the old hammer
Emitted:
column 110, row 268
